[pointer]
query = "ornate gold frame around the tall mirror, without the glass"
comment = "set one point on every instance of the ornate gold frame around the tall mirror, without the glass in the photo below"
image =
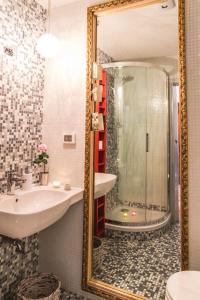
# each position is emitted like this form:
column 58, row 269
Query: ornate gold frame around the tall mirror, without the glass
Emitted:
column 88, row 283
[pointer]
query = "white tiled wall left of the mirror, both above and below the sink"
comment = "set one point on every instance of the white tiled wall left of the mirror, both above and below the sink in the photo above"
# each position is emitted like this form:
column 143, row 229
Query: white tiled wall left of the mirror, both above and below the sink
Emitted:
column 64, row 111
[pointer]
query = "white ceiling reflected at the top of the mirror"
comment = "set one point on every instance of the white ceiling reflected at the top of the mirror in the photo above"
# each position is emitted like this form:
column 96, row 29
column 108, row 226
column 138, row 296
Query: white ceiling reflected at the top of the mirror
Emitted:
column 139, row 33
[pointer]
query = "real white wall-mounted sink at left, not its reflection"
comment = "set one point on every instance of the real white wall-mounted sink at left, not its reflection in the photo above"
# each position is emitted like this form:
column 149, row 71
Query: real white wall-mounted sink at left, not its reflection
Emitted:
column 32, row 211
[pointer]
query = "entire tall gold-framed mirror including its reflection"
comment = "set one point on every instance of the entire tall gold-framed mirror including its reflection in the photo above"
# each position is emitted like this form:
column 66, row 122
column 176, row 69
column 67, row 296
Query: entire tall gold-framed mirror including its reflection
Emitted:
column 136, row 178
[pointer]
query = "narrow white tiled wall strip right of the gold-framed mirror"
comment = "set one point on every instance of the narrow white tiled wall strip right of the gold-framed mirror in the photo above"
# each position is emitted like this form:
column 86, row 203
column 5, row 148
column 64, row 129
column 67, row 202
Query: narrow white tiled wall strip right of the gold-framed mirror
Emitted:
column 193, row 91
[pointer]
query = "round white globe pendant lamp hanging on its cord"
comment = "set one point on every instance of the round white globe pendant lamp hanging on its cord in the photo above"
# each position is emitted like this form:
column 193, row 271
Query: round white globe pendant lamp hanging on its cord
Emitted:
column 48, row 44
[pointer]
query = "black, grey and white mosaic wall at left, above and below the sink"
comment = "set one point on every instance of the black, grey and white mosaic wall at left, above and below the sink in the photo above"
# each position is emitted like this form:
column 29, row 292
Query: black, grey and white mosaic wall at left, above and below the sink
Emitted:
column 21, row 98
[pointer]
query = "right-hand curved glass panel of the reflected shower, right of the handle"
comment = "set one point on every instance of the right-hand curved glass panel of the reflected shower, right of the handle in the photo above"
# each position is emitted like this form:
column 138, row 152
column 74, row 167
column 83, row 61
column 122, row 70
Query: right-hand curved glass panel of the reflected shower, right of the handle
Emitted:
column 157, row 157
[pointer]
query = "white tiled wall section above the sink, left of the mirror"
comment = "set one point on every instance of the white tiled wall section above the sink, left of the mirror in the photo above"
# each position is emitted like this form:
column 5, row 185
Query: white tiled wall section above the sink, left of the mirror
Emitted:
column 64, row 104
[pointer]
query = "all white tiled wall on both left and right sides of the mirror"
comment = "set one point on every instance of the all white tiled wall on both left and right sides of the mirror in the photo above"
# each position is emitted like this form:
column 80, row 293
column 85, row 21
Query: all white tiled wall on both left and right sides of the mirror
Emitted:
column 65, row 111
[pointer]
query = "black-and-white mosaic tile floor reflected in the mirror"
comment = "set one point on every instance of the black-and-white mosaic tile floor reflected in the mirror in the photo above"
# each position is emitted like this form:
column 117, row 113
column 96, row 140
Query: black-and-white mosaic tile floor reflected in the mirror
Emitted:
column 142, row 267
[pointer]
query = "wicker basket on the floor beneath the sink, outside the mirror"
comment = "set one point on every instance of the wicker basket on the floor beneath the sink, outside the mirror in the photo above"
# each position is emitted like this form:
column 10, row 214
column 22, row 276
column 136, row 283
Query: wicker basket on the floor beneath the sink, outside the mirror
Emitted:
column 43, row 286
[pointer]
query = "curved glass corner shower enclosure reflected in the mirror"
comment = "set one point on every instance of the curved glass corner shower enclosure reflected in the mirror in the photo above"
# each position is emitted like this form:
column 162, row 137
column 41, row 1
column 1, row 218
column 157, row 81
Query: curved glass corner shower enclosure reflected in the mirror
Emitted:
column 138, row 123
